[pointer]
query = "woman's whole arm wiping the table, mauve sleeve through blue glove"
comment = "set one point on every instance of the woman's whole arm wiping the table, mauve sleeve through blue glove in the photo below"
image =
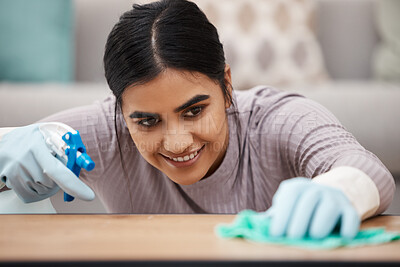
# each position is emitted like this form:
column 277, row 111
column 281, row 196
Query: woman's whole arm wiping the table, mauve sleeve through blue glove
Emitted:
column 349, row 183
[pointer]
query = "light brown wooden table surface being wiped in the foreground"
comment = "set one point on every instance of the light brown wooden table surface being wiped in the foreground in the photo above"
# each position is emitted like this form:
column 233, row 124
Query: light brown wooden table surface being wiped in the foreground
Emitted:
column 159, row 237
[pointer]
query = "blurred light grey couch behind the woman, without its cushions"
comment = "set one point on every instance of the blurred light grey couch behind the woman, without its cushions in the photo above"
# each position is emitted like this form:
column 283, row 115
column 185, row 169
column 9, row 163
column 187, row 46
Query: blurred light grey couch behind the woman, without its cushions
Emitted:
column 346, row 31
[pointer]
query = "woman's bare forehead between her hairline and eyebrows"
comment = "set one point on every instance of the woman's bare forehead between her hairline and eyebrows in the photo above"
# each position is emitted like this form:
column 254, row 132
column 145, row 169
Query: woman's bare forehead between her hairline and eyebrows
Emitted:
column 169, row 90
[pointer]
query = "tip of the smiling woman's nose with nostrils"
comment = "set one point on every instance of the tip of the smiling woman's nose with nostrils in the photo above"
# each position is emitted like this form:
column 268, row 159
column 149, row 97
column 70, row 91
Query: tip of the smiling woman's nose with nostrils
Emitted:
column 177, row 142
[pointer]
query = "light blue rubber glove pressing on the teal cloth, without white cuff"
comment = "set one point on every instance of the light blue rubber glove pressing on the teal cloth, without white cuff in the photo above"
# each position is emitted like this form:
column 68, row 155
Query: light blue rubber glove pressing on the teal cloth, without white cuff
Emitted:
column 303, row 208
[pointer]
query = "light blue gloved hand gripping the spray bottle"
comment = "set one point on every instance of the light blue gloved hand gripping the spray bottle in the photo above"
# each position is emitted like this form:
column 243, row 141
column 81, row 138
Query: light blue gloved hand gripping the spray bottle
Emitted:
column 28, row 167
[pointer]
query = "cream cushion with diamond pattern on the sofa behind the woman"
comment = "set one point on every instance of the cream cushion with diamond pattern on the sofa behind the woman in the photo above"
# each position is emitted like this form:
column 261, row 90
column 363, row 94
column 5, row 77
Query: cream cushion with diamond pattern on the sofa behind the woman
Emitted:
column 268, row 42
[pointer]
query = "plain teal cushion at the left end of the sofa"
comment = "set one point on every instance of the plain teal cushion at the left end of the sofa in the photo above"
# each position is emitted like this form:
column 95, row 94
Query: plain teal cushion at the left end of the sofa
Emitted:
column 36, row 40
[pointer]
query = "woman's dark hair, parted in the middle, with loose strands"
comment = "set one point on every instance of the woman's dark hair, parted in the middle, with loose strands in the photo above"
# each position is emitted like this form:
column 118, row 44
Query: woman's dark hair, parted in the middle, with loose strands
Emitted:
column 153, row 37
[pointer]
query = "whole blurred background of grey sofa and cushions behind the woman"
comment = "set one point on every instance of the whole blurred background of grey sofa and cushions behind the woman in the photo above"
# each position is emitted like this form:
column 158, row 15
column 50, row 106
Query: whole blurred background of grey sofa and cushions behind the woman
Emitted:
column 345, row 54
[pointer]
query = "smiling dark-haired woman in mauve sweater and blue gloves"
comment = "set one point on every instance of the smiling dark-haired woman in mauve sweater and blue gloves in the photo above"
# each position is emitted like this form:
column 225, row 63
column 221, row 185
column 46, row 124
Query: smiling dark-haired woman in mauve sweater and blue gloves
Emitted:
column 175, row 138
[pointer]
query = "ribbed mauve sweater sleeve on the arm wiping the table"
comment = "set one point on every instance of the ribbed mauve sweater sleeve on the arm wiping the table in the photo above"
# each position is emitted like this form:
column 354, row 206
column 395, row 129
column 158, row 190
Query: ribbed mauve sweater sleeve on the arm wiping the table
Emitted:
column 311, row 141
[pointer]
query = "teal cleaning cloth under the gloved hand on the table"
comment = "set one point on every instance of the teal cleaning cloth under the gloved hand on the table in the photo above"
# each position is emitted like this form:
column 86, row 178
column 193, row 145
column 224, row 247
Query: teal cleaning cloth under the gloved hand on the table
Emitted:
column 253, row 226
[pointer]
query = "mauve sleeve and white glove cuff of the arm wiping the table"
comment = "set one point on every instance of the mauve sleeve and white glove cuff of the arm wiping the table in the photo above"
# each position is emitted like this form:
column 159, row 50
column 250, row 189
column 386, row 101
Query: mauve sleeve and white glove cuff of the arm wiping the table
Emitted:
column 314, row 144
